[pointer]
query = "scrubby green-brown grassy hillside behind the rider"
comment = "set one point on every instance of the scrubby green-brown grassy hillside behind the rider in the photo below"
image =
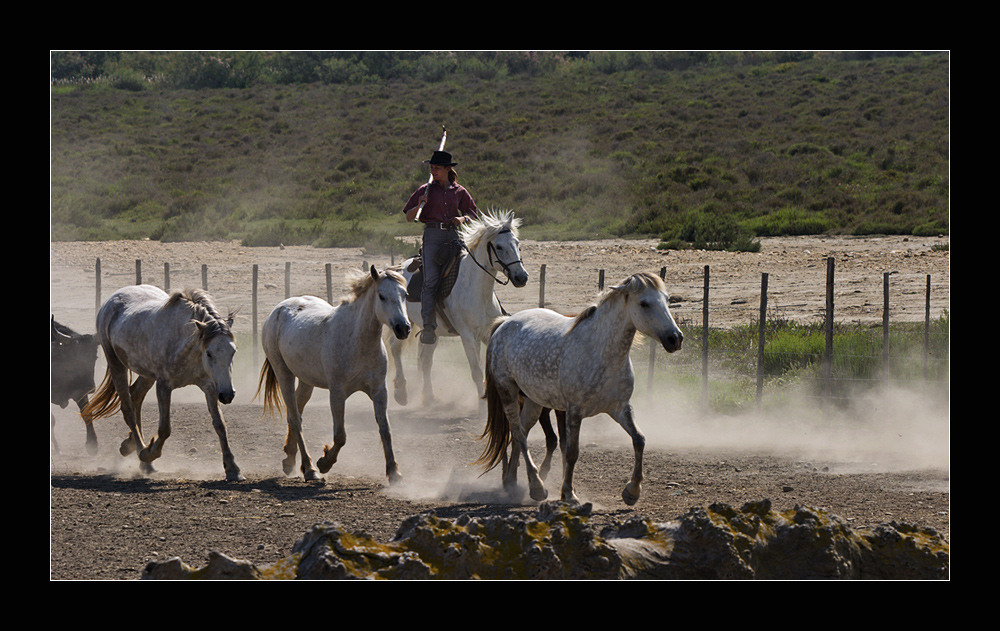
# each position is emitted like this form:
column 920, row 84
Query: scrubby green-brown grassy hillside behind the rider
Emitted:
column 594, row 146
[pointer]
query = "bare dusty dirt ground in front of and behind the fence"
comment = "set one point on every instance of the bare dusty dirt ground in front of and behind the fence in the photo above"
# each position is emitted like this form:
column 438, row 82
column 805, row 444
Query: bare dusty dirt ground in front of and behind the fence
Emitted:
column 886, row 460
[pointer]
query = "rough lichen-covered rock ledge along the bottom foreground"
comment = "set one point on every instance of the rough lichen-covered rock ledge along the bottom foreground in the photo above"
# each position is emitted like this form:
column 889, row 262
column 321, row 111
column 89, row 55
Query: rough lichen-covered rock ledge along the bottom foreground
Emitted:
column 717, row 543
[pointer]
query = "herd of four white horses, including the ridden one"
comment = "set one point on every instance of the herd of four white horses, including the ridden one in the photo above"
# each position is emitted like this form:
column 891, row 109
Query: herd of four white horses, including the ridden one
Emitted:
column 536, row 359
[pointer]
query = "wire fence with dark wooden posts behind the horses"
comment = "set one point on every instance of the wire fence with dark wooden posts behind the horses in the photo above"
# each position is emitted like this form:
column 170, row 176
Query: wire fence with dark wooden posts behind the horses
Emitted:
column 829, row 361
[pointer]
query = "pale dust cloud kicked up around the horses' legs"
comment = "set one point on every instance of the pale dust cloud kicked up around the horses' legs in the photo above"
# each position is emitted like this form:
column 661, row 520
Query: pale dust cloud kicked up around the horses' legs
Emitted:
column 437, row 445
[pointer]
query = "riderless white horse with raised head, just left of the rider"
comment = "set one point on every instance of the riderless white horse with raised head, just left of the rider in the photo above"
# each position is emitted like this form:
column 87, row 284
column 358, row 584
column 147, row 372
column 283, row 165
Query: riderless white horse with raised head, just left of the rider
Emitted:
column 337, row 348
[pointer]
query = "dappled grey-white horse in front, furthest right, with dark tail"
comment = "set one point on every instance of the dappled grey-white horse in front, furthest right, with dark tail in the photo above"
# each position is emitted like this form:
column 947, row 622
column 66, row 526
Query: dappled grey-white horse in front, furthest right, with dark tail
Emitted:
column 580, row 365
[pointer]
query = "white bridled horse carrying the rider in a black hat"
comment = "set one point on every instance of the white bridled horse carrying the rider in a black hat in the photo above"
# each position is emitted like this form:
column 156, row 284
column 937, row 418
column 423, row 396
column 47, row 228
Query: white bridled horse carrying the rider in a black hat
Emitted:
column 472, row 306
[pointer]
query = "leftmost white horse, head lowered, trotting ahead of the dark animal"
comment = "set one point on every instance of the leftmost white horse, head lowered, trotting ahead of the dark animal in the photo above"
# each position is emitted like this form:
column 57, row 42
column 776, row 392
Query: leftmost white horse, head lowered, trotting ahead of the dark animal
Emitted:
column 173, row 341
